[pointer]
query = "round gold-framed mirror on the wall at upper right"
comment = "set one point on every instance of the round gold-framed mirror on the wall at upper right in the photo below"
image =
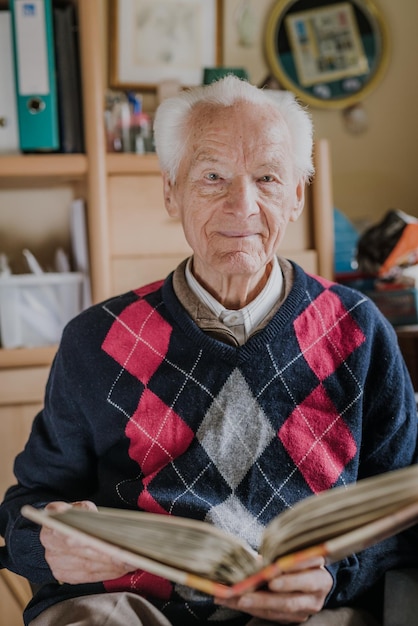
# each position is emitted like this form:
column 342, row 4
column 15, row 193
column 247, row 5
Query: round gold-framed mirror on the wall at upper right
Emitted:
column 330, row 53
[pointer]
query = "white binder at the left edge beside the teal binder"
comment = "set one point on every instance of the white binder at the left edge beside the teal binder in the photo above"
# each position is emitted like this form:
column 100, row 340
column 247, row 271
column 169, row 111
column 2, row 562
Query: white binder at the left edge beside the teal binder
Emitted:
column 9, row 134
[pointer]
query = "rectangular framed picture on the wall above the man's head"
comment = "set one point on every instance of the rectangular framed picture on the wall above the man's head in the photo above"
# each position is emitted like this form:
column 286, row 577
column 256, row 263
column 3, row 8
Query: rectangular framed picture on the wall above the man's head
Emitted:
column 152, row 41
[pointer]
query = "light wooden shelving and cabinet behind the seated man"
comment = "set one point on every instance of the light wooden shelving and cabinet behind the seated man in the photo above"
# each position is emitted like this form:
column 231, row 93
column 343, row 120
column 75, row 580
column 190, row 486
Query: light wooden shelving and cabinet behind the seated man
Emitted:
column 132, row 240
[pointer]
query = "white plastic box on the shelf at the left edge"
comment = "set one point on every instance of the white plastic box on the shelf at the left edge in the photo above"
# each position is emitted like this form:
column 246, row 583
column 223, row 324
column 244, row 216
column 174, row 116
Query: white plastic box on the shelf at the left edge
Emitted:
column 35, row 308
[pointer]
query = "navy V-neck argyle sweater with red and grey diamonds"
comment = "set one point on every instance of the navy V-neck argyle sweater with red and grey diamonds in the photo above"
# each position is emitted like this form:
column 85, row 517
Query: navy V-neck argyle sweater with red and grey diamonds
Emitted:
column 145, row 410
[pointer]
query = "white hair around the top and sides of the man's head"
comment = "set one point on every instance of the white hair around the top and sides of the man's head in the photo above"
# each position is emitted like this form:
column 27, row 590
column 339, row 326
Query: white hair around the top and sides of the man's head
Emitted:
column 172, row 120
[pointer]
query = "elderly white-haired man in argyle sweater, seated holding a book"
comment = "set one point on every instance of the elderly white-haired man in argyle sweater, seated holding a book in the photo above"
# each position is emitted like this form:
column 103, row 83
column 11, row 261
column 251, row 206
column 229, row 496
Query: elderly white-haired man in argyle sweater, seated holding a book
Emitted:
column 226, row 393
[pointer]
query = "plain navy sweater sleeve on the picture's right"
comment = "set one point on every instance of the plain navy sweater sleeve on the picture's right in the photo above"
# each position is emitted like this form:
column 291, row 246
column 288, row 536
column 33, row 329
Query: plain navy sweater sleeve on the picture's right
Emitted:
column 389, row 441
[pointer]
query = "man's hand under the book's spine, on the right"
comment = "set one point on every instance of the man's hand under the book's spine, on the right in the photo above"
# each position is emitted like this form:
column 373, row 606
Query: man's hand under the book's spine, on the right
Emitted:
column 291, row 598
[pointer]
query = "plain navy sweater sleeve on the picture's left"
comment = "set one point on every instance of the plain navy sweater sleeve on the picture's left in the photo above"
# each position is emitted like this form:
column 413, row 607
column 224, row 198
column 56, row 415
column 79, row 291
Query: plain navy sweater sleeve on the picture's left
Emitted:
column 57, row 463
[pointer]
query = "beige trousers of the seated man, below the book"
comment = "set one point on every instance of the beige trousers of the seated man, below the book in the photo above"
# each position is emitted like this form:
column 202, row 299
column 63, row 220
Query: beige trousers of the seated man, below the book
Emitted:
column 129, row 609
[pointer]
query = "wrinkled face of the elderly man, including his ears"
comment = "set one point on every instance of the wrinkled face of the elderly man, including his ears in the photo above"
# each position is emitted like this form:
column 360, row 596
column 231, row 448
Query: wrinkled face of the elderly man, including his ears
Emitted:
column 236, row 190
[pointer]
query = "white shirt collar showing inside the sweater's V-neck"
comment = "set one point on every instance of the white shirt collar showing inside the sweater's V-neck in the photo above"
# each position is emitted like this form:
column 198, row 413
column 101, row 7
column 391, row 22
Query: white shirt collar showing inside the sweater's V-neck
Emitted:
column 242, row 321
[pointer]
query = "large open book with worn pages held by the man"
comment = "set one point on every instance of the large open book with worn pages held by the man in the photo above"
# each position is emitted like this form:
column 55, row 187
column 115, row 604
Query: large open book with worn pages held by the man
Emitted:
column 333, row 524
